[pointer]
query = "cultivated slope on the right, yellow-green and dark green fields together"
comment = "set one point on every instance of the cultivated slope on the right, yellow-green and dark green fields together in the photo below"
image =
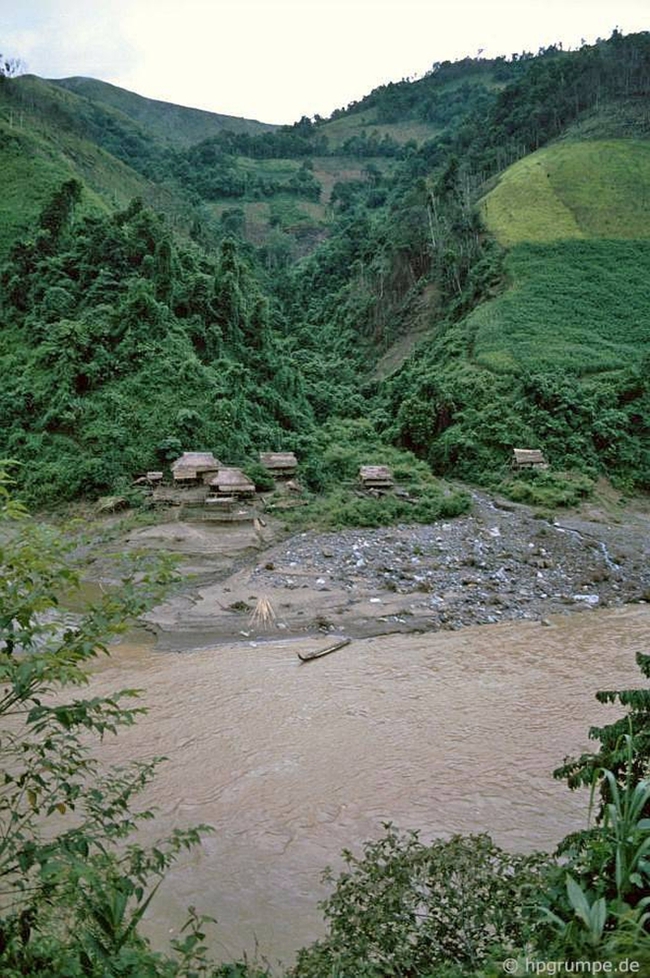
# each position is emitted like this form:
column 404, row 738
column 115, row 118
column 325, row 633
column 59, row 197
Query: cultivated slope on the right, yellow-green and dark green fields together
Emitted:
column 575, row 217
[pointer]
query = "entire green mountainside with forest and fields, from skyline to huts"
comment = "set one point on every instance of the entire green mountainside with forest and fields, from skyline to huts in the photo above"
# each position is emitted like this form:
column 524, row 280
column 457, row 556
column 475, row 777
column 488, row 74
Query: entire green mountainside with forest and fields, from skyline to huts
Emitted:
column 496, row 212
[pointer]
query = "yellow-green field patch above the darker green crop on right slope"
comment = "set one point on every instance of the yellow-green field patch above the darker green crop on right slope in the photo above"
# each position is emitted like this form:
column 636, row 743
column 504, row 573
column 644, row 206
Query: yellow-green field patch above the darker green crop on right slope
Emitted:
column 594, row 189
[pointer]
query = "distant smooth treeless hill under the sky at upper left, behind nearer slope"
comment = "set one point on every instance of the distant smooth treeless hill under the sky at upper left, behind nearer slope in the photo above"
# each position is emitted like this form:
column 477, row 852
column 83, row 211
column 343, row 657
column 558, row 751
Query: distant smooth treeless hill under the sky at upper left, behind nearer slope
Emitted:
column 169, row 123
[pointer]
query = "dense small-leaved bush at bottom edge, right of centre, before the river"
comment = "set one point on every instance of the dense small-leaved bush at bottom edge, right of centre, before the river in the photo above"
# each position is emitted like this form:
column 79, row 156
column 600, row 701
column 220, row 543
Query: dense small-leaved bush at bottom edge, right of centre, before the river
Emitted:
column 406, row 908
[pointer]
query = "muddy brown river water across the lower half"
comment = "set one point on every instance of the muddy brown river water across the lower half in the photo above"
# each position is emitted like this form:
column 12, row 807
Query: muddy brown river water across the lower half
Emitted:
column 291, row 762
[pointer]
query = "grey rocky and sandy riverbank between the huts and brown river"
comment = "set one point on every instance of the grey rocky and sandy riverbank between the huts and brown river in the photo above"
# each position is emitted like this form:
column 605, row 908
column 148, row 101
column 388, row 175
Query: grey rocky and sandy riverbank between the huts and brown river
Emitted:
column 498, row 563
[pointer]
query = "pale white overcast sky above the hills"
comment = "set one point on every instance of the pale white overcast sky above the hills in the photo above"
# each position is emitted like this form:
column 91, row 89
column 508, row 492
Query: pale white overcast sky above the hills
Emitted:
column 276, row 60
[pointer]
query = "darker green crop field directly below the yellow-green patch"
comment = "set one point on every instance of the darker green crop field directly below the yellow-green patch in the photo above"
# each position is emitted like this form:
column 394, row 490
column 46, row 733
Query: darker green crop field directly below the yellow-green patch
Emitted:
column 578, row 306
